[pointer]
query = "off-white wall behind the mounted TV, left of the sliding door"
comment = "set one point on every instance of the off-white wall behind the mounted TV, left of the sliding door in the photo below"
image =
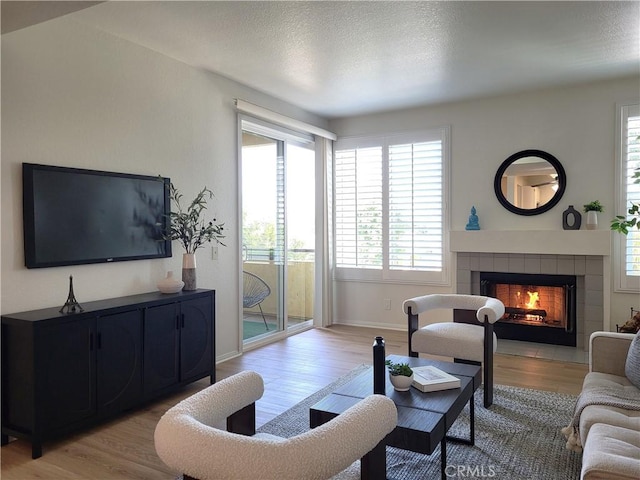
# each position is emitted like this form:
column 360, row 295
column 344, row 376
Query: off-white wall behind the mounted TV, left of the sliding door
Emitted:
column 77, row 97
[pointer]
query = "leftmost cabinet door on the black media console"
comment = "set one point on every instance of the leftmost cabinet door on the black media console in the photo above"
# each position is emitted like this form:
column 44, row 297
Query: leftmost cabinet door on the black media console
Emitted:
column 68, row 375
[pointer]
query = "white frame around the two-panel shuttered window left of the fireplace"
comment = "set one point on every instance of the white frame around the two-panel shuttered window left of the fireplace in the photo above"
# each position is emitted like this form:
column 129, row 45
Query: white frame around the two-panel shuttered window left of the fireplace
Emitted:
column 385, row 274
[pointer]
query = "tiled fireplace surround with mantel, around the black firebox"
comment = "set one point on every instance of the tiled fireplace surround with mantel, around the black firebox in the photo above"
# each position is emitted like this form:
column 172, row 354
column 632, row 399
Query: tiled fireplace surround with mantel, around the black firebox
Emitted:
column 491, row 252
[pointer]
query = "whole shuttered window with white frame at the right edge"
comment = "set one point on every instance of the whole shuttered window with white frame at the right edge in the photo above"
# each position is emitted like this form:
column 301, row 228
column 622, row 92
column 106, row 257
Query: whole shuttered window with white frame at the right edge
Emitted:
column 628, row 246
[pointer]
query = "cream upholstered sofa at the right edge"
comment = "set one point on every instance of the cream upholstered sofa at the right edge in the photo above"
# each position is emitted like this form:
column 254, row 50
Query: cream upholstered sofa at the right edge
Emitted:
column 609, row 435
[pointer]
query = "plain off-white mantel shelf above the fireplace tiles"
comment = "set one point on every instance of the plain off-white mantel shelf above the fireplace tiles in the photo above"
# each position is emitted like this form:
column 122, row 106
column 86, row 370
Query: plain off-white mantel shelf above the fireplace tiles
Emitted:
column 552, row 242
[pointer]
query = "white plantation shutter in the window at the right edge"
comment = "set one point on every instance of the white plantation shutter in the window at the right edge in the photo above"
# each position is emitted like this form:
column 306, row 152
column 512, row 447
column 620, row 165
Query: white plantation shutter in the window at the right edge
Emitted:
column 632, row 250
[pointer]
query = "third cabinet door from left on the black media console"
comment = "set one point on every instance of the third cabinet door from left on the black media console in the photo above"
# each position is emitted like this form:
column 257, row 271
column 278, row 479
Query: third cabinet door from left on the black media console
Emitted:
column 161, row 342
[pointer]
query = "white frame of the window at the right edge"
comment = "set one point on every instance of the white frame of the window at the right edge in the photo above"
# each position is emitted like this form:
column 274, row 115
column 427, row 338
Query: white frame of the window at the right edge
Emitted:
column 623, row 283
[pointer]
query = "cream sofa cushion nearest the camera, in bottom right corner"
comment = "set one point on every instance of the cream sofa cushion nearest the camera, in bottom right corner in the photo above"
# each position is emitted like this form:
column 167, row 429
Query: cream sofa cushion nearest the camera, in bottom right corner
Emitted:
column 611, row 453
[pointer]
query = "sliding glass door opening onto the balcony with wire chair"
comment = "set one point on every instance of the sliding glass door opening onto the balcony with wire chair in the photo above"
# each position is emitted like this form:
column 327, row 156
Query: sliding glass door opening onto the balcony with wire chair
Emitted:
column 278, row 234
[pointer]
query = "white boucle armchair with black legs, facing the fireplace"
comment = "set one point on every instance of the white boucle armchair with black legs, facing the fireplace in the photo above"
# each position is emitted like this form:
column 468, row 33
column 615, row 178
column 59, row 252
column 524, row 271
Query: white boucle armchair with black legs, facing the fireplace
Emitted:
column 466, row 343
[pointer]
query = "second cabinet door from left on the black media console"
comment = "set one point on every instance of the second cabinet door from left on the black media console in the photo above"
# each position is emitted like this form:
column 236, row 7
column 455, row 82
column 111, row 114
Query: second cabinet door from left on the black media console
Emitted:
column 119, row 361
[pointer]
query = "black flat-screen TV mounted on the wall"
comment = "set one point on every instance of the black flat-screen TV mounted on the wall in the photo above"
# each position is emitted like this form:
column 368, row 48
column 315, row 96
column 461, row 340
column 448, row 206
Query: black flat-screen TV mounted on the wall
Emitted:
column 75, row 216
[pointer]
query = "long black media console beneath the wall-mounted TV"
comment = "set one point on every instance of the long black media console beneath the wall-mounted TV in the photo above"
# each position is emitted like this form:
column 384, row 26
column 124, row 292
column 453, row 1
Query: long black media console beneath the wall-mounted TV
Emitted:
column 64, row 372
